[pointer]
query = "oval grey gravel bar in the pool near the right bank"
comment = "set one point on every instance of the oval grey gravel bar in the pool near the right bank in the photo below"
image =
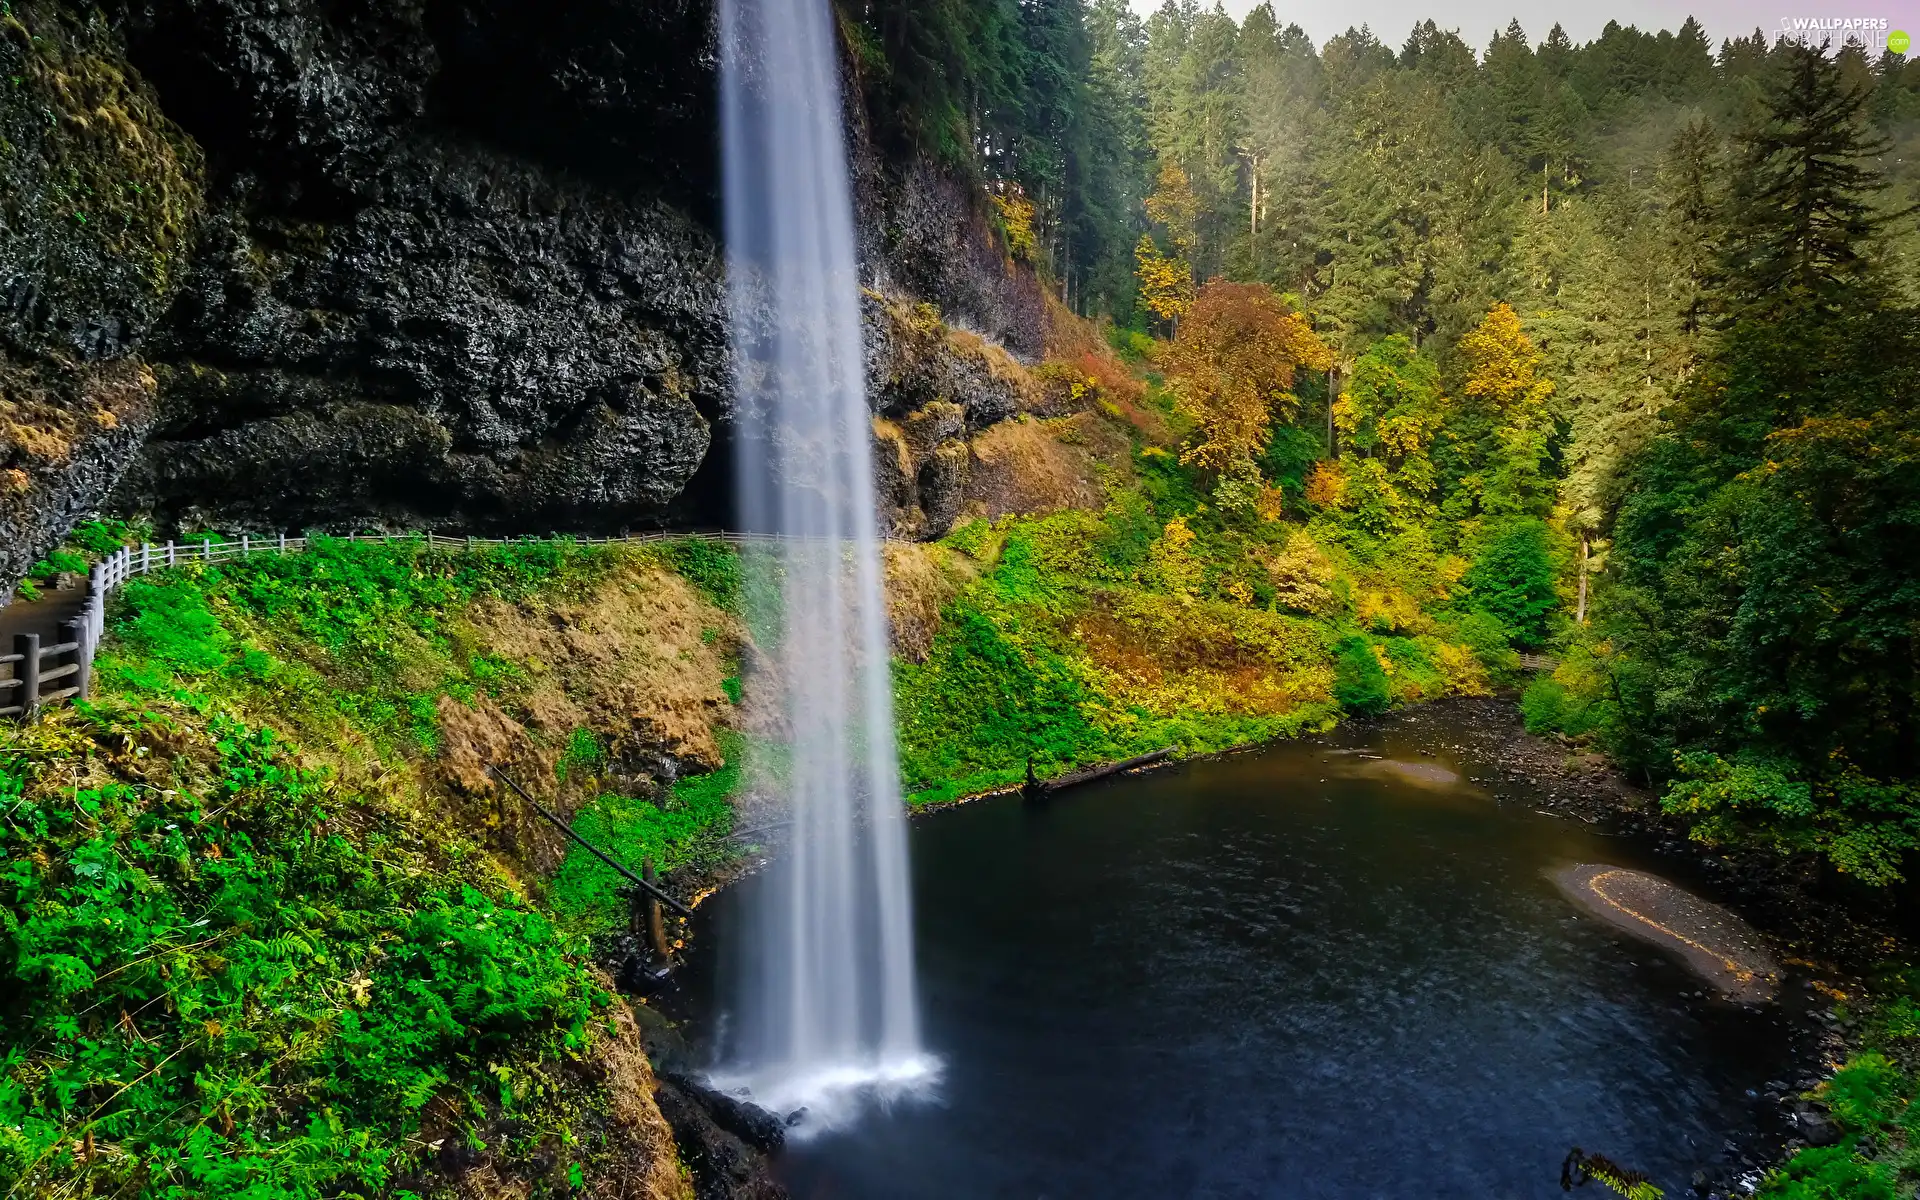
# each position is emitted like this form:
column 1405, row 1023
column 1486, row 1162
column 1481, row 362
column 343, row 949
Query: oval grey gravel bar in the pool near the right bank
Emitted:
column 1704, row 936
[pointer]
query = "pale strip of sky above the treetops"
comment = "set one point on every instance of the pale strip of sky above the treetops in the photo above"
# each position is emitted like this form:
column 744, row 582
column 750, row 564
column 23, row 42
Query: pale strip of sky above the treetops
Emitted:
column 1477, row 20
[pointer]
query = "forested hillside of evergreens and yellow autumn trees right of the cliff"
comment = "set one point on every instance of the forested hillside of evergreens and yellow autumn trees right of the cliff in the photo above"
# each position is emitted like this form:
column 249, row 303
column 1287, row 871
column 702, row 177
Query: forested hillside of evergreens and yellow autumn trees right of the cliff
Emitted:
column 1644, row 308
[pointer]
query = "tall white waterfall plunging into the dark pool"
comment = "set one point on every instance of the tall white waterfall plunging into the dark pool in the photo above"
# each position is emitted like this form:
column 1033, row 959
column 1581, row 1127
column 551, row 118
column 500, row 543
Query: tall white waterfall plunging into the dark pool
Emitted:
column 827, row 1009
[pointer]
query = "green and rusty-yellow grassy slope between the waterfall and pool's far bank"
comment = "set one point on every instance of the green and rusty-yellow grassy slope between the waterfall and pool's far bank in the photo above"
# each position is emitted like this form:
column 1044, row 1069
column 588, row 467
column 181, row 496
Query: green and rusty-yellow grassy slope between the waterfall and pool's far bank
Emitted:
column 1161, row 621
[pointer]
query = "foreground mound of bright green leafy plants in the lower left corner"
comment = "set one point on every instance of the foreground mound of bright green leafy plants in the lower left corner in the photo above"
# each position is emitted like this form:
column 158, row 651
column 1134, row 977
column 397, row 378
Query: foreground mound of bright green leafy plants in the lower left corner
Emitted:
column 231, row 978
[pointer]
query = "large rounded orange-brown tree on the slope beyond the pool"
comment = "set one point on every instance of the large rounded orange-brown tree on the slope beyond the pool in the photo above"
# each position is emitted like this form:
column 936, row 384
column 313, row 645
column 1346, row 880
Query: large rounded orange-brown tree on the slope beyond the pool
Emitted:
column 1234, row 372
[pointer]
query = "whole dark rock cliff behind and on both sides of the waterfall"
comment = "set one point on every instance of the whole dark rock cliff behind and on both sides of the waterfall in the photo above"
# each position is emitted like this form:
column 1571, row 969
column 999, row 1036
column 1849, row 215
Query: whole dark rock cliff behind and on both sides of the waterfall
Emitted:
column 425, row 264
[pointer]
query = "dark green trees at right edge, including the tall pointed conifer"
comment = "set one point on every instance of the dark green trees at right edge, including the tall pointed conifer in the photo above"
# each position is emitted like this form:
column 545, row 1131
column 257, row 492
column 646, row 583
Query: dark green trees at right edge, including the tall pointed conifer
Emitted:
column 1754, row 636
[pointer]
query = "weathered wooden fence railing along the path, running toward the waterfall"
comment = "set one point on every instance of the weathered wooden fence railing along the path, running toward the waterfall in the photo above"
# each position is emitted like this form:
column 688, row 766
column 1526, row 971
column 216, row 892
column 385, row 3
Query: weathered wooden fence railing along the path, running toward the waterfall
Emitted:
column 39, row 665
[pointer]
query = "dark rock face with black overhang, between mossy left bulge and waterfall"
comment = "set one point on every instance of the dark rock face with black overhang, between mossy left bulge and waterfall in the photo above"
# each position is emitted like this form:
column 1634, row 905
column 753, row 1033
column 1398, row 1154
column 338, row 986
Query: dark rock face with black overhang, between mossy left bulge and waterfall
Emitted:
column 429, row 293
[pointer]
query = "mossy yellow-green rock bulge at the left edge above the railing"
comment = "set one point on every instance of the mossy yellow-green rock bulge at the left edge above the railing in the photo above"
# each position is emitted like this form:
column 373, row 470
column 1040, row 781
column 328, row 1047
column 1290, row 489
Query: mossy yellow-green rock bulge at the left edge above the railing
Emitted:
column 99, row 195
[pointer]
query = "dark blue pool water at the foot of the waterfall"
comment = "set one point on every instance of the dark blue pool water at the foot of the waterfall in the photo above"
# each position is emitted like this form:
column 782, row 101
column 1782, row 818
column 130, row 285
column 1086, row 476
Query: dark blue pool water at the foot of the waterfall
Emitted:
column 1284, row 974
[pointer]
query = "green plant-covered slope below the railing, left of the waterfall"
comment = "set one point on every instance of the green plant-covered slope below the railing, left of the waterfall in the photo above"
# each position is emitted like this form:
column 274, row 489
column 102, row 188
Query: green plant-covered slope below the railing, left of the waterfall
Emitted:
column 260, row 938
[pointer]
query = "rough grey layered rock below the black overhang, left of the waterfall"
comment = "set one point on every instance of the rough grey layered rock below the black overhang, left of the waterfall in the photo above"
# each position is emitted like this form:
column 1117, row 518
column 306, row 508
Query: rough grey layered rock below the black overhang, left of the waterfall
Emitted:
column 479, row 347
